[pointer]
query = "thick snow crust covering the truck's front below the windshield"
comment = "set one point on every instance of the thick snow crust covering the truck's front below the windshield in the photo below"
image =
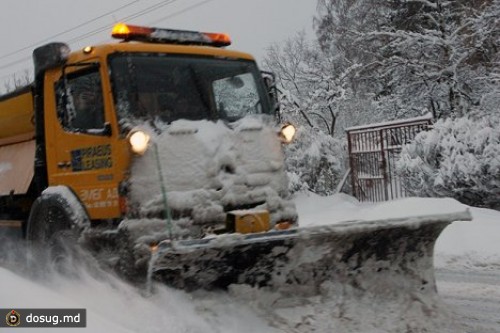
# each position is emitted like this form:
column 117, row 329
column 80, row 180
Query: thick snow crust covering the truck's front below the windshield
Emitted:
column 209, row 168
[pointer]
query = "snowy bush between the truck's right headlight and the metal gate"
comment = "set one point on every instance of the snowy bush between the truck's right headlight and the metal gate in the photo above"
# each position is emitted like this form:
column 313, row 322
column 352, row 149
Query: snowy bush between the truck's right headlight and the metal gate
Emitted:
column 315, row 161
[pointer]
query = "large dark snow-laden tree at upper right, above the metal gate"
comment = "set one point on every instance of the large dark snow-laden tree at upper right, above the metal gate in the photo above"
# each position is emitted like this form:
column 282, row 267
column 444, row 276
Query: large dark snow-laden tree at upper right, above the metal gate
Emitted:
column 415, row 55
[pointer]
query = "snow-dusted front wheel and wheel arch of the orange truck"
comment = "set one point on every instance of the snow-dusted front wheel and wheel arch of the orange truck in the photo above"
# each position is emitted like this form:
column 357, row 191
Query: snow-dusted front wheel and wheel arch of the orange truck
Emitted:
column 54, row 226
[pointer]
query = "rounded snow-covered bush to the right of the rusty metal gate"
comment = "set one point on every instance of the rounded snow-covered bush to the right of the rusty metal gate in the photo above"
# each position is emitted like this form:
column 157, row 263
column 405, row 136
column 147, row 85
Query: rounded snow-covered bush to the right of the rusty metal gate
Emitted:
column 458, row 158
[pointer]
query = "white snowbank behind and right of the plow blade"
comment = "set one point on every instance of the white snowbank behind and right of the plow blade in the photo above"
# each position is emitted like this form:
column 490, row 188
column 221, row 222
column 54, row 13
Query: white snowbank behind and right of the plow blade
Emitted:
column 471, row 244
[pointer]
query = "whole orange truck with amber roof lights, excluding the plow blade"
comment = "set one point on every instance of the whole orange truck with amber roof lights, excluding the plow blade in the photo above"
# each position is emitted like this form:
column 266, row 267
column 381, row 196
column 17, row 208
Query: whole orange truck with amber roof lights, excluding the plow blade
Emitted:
column 71, row 143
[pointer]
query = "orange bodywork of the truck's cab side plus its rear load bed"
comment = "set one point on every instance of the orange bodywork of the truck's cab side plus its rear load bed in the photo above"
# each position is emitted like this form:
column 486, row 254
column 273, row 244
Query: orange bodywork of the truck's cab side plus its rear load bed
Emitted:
column 106, row 158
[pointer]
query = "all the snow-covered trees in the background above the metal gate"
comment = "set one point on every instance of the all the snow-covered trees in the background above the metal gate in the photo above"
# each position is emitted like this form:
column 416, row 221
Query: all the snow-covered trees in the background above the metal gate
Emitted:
column 390, row 59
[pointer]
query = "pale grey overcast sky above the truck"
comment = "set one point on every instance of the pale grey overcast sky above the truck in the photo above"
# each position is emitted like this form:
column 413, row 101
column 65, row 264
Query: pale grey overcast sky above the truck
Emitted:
column 252, row 24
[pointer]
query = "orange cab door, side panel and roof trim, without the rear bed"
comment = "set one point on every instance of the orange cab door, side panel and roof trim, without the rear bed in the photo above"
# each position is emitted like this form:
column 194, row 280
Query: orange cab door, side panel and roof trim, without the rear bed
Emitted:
column 98, row 188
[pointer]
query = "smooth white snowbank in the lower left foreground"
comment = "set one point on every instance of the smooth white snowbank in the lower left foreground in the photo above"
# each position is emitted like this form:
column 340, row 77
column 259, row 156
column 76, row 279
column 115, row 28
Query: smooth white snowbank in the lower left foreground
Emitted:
column 113, row 306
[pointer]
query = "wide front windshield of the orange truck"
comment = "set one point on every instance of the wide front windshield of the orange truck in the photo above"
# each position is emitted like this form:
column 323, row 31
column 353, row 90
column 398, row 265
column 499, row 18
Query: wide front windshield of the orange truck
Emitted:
column 166, row 88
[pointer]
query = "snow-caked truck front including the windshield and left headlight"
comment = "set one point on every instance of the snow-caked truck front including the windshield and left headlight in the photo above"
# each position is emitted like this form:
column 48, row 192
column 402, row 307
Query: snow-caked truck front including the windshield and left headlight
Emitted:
column 208, row 154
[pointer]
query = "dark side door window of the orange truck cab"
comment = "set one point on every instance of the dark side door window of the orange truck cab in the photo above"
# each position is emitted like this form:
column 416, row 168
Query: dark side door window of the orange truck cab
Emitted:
column 80, row 104
